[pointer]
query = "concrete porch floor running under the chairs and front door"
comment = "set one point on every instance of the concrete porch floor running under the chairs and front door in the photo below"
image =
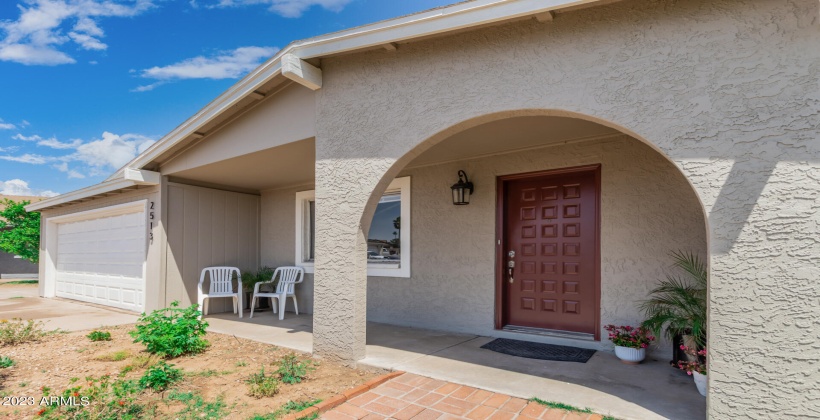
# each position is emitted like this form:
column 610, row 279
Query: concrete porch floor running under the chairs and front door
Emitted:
column 651, row 390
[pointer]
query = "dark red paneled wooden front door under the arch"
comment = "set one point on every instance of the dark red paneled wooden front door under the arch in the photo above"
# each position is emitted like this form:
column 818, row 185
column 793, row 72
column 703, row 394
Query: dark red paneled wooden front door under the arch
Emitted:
column 548, row 260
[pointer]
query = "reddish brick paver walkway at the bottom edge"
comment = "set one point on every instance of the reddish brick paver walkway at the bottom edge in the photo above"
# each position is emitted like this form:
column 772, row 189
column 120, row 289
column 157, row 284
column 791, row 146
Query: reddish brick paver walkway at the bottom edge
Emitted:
column 412, row 396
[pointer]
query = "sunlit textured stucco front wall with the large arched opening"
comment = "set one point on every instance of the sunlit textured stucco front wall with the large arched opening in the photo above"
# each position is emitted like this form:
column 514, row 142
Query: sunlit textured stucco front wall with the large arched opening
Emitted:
column 726, row 89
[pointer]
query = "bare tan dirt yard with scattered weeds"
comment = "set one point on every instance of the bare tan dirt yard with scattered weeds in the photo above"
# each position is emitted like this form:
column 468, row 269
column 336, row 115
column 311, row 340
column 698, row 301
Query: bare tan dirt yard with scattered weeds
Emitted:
column 218, row 374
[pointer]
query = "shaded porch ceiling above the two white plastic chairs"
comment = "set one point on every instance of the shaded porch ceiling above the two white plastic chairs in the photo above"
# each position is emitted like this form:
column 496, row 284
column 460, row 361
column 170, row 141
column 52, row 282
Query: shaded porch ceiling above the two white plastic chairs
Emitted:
column 277, row 167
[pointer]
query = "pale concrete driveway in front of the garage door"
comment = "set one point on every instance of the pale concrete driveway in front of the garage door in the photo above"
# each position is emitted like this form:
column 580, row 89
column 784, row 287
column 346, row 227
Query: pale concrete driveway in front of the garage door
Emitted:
column 21, row 301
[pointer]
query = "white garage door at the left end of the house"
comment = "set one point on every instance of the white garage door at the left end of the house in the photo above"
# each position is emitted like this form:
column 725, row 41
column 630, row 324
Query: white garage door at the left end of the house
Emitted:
column 102, row 260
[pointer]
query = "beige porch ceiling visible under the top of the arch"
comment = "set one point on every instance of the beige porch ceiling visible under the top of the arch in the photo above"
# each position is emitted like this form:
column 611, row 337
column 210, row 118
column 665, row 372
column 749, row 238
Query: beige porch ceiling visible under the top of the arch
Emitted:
column 510, row 135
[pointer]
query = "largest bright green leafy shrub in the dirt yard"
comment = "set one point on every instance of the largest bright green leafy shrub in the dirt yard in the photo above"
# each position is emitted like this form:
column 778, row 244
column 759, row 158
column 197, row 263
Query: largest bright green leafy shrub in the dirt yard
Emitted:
column 172, row 332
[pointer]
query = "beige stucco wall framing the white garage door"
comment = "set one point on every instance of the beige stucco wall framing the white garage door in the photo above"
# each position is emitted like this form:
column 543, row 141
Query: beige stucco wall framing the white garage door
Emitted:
column 154, row 283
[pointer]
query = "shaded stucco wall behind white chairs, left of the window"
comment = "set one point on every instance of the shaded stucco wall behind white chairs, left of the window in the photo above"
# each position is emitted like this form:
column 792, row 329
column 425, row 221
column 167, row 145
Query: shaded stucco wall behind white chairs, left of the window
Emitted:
column 278, row 241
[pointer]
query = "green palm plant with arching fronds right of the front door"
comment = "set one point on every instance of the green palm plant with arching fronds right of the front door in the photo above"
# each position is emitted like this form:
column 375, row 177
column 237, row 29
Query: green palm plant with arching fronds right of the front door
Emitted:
column 677, row 306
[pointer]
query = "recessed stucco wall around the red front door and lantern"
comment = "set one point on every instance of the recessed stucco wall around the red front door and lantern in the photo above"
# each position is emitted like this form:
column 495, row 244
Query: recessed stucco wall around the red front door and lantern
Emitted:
column 647, row 210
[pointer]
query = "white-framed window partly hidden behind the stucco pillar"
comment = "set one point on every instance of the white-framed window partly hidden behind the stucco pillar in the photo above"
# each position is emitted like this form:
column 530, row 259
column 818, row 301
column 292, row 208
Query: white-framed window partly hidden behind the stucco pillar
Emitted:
column 388, row 241
